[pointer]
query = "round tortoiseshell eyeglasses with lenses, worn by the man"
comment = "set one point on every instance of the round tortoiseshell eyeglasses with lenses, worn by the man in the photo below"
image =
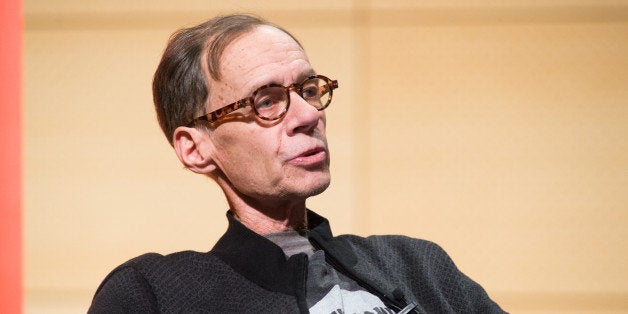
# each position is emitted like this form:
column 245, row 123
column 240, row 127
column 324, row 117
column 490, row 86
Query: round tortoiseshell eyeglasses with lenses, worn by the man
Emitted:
column 271, row 102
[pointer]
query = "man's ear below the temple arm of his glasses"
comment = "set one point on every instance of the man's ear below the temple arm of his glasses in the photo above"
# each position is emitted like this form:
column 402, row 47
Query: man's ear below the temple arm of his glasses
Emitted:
column 194, row 149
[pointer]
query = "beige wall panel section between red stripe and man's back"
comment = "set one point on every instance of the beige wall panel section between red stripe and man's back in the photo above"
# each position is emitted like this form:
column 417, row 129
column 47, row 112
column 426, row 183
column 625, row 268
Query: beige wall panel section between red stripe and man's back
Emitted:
column 102, row 183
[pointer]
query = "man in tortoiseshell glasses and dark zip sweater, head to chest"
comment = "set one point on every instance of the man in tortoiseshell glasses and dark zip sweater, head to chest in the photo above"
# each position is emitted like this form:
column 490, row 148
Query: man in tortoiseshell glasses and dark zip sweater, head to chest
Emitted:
column 240, row 102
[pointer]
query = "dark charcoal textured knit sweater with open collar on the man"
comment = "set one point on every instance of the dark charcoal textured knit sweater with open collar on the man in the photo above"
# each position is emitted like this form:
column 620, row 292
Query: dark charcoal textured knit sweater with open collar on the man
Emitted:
column 246, row 272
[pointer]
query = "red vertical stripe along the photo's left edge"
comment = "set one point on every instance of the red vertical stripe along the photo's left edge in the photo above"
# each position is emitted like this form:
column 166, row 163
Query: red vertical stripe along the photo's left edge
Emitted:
column 11, row 21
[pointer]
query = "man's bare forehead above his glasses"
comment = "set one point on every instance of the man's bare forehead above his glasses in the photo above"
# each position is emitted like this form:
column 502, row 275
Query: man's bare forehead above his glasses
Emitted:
column 263, row 55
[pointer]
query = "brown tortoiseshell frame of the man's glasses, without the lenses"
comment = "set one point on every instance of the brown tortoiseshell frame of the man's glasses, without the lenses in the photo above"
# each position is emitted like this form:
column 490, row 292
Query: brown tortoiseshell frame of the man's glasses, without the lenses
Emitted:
column 217, row 114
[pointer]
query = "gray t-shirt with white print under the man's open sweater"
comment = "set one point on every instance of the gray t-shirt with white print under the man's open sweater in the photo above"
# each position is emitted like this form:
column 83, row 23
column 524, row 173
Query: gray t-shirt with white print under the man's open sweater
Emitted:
column 328, row 291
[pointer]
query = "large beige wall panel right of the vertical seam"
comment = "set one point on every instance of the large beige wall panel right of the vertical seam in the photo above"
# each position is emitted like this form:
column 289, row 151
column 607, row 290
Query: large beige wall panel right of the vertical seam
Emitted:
column 507, row 146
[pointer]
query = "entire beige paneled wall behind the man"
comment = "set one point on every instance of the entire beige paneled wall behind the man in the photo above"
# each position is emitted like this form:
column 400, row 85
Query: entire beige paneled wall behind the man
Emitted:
column 496, row 129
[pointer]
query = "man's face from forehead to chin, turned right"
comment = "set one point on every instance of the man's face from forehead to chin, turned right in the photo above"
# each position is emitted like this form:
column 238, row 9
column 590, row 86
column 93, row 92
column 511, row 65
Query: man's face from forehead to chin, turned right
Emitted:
column 268, row 161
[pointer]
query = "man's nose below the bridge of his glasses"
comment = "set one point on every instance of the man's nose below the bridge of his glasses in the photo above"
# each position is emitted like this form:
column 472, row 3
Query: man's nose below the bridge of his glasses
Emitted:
column 301, row 116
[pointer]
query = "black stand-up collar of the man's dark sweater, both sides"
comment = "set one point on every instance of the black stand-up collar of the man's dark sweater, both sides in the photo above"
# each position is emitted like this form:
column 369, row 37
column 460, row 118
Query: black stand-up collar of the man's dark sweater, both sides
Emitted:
column 264, row 263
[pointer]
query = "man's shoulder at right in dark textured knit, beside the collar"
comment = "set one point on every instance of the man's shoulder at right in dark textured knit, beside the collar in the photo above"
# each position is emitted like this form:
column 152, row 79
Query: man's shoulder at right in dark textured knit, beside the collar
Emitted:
column 424, row 270
